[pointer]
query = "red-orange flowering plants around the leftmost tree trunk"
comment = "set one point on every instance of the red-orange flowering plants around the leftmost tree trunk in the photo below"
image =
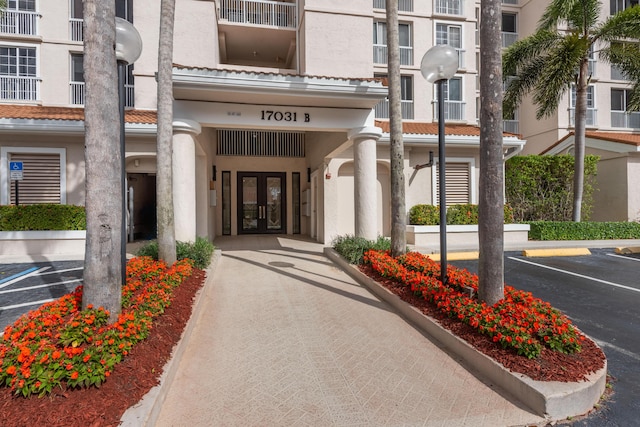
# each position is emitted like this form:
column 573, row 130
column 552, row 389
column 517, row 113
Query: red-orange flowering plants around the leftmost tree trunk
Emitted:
column 59, row 343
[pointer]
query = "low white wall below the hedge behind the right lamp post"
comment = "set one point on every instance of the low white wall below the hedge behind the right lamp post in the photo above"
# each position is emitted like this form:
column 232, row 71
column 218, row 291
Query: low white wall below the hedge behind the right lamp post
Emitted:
column 425, row 235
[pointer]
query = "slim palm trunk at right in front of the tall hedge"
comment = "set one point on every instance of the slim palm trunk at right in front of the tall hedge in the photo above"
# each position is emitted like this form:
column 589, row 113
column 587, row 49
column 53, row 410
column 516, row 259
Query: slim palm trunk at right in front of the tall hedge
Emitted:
column 579, row 140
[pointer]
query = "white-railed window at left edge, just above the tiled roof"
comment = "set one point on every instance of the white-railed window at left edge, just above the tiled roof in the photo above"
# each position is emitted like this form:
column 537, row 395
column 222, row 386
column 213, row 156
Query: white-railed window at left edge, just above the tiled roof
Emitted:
column 18, row 73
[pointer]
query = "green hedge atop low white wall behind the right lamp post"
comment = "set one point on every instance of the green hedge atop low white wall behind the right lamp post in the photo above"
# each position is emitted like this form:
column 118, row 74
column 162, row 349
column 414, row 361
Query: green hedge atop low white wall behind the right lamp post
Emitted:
column 461, row 214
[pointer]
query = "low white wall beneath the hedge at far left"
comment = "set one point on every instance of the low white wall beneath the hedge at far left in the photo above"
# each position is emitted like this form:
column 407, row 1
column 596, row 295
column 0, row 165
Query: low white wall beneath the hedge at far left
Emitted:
column 18, row 243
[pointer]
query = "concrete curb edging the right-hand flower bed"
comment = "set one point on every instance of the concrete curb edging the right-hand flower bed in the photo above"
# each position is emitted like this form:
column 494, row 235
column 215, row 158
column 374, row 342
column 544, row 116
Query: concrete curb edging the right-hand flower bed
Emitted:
column 552, row 400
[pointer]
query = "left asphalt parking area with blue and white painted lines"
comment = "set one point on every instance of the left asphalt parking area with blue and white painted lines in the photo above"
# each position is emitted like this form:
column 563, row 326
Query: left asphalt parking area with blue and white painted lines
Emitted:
column 26, row 286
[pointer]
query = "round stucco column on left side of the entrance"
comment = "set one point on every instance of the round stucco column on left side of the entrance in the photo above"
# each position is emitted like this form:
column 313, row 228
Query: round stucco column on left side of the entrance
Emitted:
column 184, row 179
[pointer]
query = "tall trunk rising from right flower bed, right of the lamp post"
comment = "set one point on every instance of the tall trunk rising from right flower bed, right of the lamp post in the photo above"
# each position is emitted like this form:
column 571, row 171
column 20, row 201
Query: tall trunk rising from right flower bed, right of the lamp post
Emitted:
column 491, row 207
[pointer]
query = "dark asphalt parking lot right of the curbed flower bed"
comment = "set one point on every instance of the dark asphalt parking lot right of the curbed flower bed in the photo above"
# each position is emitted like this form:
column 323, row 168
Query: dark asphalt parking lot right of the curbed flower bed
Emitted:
column 601, row 294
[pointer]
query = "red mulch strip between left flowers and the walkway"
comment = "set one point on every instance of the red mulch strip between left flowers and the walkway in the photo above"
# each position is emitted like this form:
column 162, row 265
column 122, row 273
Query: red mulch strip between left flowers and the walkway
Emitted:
column 129, row 382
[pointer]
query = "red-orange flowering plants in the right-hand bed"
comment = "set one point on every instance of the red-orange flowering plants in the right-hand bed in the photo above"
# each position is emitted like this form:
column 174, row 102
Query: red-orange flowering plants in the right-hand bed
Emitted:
column 518, row 321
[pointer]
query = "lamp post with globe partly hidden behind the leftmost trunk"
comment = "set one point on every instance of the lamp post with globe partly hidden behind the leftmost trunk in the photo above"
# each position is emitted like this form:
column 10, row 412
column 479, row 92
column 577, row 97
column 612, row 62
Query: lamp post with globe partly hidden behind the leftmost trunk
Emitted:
column 128, row 48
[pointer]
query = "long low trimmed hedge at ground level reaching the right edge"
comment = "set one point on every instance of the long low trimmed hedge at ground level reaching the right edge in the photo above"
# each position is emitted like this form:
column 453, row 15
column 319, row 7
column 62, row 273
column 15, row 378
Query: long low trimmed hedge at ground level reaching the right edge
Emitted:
column 555, row 230
